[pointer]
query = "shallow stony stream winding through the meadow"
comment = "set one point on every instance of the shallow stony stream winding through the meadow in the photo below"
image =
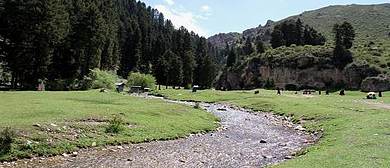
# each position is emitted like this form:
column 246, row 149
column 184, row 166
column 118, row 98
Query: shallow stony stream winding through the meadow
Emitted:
column 245, row 139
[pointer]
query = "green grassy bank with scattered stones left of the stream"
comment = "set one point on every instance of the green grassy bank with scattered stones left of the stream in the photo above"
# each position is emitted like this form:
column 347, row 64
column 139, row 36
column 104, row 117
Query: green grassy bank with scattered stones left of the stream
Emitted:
column 71, row 120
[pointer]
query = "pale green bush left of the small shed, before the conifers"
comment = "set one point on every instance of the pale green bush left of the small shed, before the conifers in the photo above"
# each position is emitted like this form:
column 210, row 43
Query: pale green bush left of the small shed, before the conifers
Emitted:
column 98, row 79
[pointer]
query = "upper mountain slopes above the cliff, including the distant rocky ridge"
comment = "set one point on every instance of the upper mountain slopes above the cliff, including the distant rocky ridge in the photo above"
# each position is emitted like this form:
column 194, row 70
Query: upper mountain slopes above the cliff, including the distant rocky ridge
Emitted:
column 371, row 23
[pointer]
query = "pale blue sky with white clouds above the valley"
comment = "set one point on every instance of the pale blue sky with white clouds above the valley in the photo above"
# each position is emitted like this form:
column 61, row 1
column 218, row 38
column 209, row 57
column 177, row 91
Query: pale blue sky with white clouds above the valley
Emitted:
column 210, row 17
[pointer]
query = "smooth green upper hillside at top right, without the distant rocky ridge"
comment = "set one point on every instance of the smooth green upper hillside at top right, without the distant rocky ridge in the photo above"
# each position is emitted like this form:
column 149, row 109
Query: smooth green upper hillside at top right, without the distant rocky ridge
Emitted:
column 371, row 22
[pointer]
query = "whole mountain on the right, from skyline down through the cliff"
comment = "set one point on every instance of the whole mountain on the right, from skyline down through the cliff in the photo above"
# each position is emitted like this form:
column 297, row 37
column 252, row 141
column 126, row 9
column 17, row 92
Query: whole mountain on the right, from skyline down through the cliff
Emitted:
column 315, row 67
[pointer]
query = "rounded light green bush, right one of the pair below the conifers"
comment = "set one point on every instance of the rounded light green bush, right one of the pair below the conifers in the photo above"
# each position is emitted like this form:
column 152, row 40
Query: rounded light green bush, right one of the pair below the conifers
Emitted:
column 143, row 80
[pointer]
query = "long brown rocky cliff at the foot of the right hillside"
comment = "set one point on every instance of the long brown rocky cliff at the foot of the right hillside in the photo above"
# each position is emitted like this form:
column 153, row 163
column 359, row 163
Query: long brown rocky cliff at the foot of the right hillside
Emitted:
column 314, row 70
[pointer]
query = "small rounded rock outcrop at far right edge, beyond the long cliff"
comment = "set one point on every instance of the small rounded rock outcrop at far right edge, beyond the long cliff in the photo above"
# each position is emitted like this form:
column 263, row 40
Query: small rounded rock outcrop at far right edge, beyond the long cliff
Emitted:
column 376, row 84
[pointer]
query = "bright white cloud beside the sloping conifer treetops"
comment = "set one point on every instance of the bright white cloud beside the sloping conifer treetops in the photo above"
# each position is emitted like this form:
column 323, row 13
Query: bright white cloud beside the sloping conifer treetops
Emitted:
column 182, row 18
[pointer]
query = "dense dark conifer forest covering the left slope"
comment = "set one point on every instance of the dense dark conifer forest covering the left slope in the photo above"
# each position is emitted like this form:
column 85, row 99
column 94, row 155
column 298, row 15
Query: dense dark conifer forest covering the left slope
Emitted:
column 62, row 40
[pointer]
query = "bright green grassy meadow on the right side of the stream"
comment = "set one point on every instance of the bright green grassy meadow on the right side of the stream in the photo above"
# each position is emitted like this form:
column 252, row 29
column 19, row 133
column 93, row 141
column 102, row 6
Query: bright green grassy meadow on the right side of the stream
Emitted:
column 356, row 132
